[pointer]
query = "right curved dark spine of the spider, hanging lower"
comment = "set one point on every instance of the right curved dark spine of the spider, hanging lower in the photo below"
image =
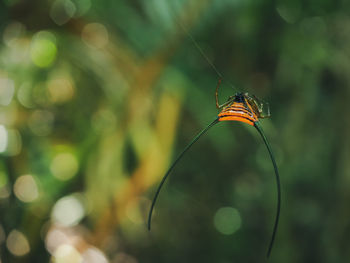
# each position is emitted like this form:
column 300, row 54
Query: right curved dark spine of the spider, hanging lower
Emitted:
column 260, row 130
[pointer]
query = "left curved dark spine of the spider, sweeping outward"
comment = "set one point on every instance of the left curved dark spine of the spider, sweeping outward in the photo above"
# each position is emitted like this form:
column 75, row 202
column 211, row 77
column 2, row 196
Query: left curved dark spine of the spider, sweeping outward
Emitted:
column 174, row 164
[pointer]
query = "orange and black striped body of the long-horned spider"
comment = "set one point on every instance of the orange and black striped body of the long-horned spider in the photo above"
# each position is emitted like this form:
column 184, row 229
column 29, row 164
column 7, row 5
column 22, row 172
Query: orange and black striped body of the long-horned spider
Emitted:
column 239, row 110
